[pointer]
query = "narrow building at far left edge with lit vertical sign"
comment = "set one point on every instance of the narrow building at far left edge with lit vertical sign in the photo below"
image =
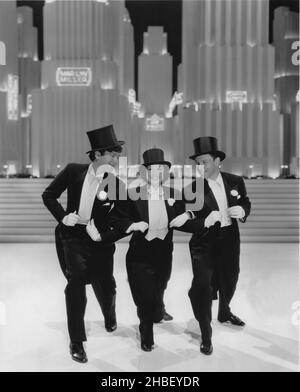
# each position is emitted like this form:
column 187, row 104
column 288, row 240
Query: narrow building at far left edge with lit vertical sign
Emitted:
column 19, row 76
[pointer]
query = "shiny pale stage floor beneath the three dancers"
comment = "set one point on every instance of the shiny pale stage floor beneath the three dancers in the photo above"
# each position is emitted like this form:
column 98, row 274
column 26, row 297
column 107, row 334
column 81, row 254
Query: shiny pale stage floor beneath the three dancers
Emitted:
column 33, row 334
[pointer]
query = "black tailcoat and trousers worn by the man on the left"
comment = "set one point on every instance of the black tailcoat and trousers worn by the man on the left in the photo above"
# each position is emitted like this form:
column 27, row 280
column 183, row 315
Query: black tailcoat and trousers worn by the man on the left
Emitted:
column 83, row 260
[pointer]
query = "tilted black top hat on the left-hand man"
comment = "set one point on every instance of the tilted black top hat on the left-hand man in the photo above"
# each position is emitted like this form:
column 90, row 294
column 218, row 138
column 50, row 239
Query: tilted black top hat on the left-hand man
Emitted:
column 103, row 139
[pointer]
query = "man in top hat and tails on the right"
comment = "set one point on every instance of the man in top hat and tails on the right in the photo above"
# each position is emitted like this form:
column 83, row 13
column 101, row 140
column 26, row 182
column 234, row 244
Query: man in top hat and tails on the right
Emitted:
column 215, row 246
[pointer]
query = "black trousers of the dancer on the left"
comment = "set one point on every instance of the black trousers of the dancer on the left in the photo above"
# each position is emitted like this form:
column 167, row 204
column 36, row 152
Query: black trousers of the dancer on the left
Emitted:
column 86, row 261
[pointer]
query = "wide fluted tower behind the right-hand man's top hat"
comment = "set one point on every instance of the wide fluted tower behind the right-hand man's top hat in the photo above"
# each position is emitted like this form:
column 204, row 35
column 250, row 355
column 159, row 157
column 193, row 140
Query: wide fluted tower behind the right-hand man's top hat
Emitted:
column 227, row 80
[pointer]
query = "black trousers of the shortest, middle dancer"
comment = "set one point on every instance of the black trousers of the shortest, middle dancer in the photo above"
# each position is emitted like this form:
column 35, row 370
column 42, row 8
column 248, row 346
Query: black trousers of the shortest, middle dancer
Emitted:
column 149, row 266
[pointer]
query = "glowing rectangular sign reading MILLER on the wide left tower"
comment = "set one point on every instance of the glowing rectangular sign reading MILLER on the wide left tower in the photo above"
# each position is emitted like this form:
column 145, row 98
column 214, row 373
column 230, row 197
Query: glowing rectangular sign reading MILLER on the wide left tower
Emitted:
column 73, row 76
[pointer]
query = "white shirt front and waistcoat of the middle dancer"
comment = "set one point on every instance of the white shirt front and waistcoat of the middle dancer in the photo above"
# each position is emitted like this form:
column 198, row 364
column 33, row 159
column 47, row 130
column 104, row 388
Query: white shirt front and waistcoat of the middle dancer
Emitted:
column 158, row 217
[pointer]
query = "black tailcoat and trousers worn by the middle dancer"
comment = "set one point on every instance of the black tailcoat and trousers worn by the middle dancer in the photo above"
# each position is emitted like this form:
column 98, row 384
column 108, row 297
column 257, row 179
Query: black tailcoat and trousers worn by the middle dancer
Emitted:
column 148, row 263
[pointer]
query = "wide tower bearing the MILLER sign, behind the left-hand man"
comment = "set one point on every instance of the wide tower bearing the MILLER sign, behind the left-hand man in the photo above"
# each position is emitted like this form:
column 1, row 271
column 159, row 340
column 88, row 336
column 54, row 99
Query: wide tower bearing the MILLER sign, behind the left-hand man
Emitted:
column 87, row 71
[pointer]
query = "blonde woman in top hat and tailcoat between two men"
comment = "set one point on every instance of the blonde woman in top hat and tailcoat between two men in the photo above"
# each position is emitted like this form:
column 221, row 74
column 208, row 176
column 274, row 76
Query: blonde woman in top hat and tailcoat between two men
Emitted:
column 149, row 257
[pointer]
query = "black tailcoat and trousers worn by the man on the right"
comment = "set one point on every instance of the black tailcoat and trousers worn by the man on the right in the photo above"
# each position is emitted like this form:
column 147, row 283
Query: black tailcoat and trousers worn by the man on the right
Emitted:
column 215, row 253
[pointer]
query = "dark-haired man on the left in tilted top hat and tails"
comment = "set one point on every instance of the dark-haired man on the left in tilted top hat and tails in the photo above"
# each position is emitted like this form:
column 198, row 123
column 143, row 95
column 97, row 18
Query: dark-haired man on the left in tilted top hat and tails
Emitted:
column 84, row 239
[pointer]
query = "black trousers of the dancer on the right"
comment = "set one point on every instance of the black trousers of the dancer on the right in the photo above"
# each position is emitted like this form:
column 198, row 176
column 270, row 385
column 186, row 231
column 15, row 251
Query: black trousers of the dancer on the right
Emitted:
column 215, row 262
